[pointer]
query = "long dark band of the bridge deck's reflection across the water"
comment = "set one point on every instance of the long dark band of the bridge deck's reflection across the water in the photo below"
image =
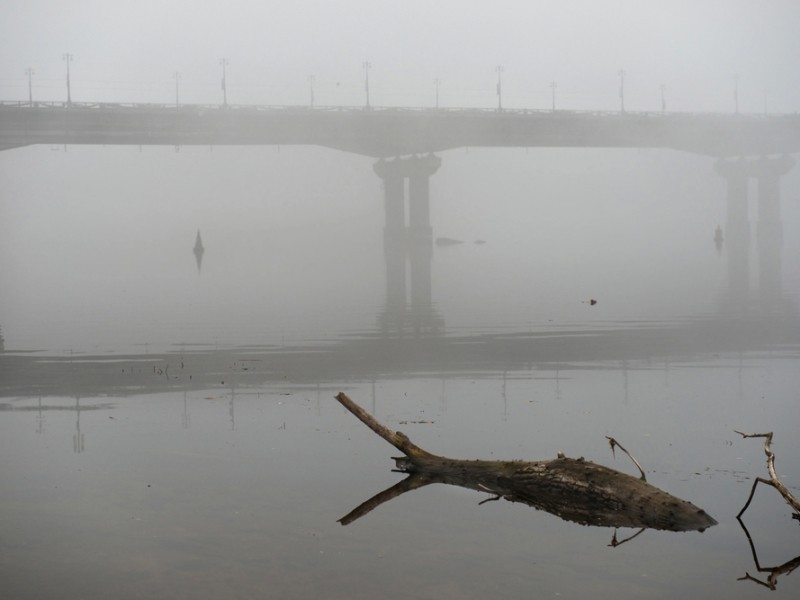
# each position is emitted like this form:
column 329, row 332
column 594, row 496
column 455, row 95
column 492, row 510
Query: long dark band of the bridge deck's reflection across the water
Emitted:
column 372, row 355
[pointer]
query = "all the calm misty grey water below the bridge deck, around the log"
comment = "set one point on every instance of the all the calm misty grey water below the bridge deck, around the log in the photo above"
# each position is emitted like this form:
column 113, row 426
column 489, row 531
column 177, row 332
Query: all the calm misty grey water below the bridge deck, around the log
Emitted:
column 166, row 432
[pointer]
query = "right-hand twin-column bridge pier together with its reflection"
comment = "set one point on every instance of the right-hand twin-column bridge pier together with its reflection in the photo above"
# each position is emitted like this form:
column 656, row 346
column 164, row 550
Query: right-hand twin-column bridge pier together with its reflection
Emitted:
column 769, row 228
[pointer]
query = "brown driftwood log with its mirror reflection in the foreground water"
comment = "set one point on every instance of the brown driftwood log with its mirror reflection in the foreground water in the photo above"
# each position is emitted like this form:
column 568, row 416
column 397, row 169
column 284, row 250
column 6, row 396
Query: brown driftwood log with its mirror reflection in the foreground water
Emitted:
column 573, row 489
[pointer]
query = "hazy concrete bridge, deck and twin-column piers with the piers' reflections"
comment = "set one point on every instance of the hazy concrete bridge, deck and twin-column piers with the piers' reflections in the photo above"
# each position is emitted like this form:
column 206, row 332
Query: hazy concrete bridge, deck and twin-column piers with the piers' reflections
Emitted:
column 744, row 146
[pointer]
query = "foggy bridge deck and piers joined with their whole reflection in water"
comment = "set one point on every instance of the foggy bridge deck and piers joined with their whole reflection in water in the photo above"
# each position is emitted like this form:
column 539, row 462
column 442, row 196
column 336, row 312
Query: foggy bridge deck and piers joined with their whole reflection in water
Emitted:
column 411, row 335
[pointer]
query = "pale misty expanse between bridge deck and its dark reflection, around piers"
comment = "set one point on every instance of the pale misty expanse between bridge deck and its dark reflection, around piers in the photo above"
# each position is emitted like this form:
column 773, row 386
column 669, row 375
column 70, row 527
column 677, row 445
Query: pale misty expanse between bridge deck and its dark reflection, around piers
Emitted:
column 97, row 242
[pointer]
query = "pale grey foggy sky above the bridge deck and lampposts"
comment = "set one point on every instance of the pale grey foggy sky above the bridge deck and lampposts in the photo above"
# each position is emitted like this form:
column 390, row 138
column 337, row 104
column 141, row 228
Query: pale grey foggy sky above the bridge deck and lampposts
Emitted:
column 128, row 51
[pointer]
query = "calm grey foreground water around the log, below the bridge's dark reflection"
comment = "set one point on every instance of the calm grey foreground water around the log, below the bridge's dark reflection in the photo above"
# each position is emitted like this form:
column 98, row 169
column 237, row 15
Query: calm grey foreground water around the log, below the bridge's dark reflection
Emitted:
column 233, row 488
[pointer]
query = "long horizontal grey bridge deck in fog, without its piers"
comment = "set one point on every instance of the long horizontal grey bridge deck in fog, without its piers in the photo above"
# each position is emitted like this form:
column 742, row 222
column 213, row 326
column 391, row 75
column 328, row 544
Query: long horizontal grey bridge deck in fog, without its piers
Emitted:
column 388, row 132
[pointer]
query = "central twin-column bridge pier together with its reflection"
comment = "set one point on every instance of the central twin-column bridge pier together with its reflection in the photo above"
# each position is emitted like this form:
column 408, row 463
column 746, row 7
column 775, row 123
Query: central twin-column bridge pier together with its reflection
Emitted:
column 408, row 242
